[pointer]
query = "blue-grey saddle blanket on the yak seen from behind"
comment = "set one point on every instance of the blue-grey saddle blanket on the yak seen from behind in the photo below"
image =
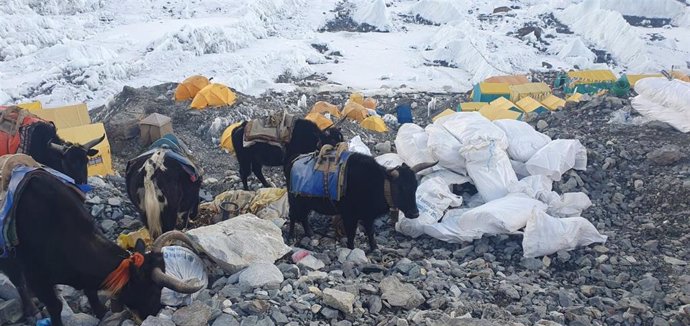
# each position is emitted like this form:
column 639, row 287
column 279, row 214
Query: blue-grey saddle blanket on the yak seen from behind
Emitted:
column 175, row 149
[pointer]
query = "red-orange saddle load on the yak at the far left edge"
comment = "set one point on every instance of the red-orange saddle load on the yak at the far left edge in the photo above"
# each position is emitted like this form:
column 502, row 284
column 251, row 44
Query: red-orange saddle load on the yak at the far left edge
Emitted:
column 14, row 138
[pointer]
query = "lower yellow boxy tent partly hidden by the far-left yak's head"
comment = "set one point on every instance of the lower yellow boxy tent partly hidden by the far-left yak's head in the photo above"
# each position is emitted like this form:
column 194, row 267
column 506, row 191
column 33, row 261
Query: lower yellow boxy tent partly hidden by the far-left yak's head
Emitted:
column 102, row 163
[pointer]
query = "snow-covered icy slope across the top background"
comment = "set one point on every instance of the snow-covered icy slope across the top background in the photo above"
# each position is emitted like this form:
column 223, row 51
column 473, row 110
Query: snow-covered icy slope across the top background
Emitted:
column 63, row 51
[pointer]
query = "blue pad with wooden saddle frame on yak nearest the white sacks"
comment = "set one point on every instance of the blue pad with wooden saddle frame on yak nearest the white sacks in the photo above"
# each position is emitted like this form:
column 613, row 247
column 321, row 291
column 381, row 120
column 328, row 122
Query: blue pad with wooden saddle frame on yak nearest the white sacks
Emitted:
column 321, row 174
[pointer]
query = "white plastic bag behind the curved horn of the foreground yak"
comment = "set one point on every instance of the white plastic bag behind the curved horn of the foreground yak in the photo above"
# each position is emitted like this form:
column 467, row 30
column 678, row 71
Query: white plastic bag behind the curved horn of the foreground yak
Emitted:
column 182, row 264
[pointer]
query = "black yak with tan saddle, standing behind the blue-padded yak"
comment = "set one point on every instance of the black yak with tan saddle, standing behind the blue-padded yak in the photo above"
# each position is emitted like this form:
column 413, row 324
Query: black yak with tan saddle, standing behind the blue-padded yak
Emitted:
column 306, row 137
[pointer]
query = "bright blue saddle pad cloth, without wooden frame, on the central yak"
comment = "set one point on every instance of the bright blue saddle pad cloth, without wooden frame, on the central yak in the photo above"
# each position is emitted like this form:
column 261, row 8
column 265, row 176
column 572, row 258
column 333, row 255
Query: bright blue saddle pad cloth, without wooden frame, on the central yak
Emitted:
column 307, row 180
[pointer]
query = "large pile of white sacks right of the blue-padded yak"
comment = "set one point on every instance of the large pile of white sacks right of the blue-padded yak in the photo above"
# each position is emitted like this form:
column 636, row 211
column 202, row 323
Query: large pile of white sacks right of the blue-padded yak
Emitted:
column 513, row 168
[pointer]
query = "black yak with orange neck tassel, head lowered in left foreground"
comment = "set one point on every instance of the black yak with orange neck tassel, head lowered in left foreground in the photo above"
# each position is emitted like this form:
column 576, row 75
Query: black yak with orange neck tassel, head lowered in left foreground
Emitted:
column 59, row 244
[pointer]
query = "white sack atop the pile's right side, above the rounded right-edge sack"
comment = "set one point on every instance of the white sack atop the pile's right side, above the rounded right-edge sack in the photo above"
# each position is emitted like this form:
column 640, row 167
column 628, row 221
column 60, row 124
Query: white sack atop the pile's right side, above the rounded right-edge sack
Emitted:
column 523, row 140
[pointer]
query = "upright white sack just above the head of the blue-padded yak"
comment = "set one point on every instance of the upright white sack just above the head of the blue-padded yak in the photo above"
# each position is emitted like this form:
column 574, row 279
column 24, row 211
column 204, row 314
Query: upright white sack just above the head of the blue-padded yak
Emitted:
column 411, row 145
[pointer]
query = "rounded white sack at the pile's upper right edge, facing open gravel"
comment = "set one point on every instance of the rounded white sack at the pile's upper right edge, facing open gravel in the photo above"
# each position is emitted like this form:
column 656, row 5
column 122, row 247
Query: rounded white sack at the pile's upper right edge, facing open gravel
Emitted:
column 558, row 157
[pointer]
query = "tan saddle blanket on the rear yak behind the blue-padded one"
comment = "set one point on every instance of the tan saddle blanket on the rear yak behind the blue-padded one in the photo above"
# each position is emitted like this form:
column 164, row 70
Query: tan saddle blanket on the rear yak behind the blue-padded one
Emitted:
column 276, row 129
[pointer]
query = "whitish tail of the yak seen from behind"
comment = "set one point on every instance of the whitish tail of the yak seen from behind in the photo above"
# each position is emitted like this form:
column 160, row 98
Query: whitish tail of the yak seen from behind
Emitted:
column 152, row 202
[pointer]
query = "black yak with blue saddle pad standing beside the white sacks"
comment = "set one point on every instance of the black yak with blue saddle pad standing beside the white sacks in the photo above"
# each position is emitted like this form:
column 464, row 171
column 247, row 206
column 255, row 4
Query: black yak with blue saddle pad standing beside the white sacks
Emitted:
column 370, row 191
